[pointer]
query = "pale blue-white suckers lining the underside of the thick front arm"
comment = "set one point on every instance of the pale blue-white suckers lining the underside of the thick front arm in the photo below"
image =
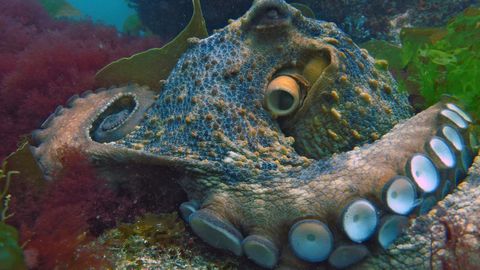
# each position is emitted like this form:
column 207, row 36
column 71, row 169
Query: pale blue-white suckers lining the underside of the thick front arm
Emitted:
column 428, row 177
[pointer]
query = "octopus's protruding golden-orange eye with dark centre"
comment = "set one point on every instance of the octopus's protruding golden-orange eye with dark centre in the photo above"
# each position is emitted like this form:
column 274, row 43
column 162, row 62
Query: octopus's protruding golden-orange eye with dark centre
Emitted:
column 282, row 96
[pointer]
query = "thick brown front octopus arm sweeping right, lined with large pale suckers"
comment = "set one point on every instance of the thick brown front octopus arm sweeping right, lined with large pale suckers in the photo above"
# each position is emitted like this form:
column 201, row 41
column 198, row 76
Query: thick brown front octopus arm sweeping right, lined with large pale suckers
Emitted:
column 413, row 165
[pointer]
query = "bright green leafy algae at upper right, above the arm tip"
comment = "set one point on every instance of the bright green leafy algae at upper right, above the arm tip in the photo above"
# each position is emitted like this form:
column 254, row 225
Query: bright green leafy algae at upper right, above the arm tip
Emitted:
column 436, row 61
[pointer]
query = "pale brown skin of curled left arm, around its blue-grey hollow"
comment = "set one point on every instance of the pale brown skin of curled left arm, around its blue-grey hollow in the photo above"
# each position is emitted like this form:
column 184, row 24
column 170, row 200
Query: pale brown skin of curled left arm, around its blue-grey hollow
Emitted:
column 71, row 126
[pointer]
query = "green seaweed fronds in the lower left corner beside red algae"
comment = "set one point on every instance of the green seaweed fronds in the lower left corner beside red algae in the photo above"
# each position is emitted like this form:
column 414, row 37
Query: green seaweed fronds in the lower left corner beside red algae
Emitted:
column 11, row 254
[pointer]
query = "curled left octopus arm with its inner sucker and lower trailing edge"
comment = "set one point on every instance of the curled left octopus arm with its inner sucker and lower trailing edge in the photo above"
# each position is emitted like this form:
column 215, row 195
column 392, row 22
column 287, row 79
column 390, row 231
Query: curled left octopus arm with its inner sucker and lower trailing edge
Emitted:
column 90, row 123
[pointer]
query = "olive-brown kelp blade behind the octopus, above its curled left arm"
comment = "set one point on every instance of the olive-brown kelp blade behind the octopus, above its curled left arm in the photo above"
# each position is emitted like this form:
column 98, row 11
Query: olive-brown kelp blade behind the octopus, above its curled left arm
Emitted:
column 152, row 66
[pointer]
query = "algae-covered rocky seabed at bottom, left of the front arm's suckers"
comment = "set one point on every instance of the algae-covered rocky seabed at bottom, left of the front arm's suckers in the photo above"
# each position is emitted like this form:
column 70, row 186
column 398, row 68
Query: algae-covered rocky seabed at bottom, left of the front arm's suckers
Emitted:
column 162, row 241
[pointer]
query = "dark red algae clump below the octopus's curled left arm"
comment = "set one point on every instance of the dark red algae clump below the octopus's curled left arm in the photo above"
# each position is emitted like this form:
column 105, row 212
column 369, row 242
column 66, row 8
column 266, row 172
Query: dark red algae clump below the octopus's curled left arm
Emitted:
column 75, row 208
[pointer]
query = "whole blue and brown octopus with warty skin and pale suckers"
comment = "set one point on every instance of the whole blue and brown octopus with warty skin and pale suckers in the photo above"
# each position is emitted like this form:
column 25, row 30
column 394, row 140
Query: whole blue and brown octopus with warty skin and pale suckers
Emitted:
column 294, row 146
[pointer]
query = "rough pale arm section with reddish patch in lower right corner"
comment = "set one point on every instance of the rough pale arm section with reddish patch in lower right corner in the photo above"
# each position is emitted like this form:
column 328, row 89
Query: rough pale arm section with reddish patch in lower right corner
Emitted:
column 447, row 237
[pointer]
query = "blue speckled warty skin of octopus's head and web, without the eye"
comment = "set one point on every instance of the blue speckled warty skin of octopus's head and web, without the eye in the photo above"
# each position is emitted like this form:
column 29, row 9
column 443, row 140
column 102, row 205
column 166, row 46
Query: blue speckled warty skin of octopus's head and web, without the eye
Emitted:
column 212, row 103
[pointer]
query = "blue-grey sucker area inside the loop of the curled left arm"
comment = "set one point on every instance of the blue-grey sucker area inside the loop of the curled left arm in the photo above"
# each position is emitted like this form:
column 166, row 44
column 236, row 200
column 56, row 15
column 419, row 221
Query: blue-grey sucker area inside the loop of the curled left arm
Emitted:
column 115, row 121
